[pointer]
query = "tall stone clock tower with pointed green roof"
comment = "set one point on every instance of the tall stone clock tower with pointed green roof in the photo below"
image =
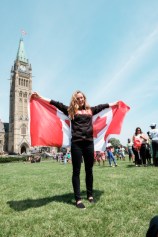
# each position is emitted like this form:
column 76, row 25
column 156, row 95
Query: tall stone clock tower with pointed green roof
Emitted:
column 20, row 90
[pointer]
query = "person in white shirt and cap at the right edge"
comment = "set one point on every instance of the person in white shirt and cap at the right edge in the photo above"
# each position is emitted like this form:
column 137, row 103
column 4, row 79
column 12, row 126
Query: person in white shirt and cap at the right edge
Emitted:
column 153, row 135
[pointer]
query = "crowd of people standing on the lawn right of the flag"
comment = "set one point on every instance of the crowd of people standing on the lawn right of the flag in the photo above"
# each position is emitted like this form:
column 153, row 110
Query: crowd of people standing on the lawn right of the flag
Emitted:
column 142, row 149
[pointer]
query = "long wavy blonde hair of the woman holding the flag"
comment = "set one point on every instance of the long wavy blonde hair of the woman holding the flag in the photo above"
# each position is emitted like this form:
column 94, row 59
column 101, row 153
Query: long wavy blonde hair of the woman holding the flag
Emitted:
column 73, row 107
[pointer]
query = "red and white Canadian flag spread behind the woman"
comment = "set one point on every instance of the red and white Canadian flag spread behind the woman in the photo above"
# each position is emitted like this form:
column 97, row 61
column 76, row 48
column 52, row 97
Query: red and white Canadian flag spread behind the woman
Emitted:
column 50, row 127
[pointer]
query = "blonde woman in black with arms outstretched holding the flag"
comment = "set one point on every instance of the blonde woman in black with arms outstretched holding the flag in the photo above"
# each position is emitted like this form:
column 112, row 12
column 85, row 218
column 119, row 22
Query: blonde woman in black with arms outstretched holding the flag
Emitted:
column 82, row 145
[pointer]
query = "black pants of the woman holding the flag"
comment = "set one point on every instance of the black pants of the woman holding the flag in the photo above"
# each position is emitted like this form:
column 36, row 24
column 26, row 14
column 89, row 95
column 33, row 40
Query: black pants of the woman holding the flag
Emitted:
column 82, row 150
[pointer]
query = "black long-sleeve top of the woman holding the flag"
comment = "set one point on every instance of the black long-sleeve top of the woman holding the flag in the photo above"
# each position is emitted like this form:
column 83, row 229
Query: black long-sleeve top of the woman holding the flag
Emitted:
column 81, row 125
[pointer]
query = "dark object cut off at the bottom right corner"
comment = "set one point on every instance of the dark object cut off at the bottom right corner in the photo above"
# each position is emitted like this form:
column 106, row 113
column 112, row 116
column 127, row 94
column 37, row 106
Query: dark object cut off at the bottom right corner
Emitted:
column 153, row 227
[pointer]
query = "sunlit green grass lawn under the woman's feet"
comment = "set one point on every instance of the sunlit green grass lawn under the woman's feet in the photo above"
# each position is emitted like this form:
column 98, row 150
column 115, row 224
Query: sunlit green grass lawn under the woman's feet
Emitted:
column 37, row 200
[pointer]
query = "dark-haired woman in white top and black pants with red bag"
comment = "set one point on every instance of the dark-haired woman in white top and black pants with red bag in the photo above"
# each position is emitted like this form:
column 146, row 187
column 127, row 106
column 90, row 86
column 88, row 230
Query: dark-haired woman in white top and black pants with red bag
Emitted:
column 139, row 147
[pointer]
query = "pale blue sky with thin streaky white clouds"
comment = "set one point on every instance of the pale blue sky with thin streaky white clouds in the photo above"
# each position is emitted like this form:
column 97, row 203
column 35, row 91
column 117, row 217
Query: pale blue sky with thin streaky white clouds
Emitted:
column 107, row 49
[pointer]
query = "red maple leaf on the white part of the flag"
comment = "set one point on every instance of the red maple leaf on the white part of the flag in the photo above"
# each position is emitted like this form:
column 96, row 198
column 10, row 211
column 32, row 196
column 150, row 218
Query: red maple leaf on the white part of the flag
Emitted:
column 98, row 125
